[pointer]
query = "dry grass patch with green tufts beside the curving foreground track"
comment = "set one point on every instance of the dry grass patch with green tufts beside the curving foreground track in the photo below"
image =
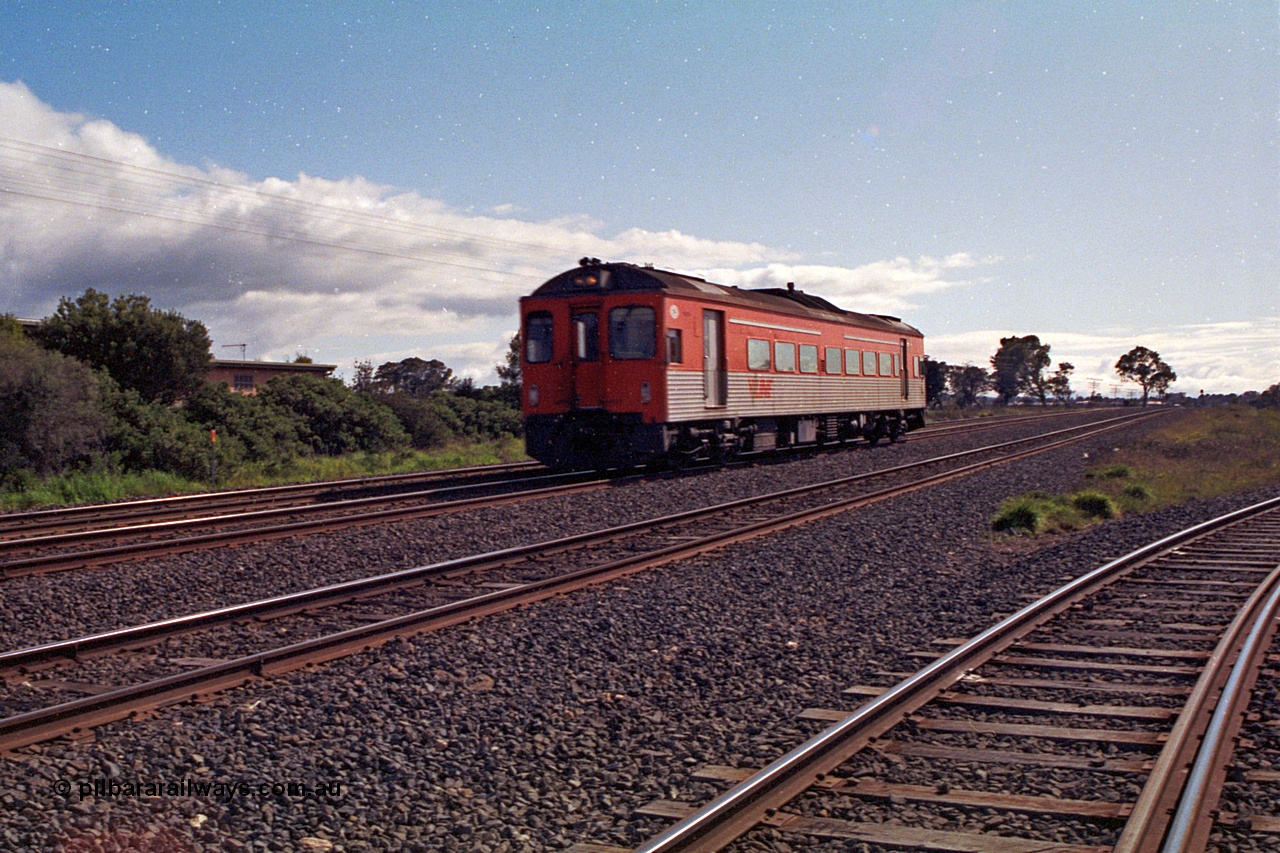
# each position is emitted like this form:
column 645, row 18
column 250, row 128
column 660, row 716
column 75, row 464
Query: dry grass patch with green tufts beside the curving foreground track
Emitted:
column 1197, row 454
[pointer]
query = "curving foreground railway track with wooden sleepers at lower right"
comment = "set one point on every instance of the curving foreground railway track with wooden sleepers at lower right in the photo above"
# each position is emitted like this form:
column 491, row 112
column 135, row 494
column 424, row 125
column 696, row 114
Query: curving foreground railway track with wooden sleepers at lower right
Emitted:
column 1099, row 719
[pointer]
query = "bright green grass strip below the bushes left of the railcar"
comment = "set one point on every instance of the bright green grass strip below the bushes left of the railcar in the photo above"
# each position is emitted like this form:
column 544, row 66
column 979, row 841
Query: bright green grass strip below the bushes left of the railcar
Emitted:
column 95, row 487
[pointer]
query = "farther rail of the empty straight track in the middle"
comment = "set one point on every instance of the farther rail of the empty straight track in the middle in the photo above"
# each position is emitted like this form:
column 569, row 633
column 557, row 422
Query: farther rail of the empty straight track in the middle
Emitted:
column 28, row 659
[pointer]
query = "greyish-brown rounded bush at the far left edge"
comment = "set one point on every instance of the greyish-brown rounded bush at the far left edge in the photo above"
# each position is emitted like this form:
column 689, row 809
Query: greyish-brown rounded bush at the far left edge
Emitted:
column 51, row 413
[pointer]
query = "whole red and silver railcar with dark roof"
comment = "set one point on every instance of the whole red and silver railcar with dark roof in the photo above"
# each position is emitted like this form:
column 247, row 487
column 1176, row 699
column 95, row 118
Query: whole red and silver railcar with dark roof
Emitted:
column 628, row 364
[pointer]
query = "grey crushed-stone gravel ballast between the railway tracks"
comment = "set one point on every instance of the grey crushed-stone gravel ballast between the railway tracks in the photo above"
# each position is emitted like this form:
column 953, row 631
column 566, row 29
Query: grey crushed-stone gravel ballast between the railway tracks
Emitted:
column 550, row 726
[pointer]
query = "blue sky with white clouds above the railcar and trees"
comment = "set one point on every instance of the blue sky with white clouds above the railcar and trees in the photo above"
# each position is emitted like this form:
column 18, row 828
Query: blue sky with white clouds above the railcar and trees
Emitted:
column 1100, row 177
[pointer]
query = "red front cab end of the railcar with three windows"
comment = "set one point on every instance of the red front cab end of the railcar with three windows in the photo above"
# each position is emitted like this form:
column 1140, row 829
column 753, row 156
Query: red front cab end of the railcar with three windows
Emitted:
column 593, row 373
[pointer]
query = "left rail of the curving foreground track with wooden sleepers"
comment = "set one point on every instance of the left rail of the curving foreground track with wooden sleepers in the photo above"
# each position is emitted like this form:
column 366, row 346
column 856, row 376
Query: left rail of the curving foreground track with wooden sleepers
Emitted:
column 770, row 790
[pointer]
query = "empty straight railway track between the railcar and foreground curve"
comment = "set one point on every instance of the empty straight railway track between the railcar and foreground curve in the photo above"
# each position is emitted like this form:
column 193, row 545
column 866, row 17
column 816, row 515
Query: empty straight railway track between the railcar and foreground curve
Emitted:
column 431, row 597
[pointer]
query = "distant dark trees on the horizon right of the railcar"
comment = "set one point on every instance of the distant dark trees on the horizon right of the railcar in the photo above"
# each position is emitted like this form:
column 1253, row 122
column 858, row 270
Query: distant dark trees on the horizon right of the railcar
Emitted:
column 1021, row 368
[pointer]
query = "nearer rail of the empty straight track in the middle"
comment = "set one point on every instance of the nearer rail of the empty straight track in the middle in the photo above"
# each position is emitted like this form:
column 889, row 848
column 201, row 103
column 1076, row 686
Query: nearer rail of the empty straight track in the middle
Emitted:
column 75, row 717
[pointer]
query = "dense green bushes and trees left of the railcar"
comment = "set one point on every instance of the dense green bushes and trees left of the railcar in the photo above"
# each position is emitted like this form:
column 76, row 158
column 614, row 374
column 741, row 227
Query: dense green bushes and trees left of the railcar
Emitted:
column 121, row 386
